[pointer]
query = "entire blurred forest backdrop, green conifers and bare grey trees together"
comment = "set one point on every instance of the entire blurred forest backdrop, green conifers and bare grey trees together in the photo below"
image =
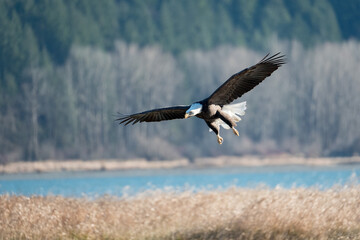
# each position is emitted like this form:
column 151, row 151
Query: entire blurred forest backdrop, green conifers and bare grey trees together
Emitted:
column 68, row 67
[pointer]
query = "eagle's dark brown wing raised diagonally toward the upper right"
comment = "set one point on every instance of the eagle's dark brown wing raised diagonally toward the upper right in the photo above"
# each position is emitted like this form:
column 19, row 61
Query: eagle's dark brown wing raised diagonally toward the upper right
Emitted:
column 247, row 79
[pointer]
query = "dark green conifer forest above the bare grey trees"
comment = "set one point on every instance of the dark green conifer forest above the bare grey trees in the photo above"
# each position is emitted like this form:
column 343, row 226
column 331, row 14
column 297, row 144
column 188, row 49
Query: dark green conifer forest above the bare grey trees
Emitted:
column 49, row 28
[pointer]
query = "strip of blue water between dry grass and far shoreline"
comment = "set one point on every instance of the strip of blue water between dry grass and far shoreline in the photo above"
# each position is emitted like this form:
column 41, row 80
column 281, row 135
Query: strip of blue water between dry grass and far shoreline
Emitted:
column 77, row 184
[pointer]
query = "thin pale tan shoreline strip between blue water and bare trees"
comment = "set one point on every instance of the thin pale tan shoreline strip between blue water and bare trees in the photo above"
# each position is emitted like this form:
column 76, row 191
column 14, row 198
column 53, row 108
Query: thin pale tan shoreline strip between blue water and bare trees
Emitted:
column 49, row 166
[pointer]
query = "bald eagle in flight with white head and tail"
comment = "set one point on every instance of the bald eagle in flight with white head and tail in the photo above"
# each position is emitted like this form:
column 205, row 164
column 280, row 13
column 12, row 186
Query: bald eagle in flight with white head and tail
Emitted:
column 216, row 109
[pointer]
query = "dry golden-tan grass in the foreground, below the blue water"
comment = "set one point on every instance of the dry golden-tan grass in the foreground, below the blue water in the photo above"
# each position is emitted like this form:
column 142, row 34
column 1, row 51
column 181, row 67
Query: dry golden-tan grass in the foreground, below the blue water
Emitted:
column 235, row 213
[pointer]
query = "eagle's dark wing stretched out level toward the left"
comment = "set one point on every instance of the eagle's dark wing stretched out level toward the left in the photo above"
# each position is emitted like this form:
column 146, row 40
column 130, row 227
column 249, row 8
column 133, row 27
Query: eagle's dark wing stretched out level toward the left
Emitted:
column 154, row 115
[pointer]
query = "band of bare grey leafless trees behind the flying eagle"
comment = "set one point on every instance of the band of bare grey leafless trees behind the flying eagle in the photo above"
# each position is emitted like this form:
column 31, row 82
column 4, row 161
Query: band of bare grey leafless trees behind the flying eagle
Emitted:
column 308, row 107
